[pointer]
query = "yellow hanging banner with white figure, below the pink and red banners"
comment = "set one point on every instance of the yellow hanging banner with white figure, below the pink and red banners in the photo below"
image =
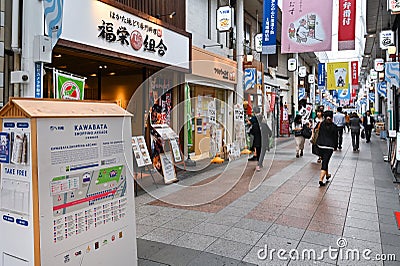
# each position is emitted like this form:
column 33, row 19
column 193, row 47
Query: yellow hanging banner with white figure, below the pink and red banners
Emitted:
column 338, row 77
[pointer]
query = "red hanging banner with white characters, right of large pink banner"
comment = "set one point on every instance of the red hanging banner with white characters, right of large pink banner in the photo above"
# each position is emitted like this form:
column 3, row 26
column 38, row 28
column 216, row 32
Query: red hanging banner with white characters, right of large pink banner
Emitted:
column 347, row 25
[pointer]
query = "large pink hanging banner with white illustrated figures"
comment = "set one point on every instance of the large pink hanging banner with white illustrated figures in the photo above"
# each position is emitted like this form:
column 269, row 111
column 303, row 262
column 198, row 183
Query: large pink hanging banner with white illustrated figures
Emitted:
column 306, row 26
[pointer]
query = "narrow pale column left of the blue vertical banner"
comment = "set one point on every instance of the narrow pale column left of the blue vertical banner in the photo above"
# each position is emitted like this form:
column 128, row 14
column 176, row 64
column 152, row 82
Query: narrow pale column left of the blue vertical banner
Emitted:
column 239, row 48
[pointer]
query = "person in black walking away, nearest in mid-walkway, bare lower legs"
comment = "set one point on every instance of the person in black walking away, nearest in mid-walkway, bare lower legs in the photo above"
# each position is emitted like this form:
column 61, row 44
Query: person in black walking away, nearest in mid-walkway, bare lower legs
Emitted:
column 327, row 141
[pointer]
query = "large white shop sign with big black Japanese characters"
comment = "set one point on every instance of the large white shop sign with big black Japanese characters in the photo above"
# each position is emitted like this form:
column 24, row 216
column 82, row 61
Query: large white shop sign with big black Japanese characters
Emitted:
column 106, row 27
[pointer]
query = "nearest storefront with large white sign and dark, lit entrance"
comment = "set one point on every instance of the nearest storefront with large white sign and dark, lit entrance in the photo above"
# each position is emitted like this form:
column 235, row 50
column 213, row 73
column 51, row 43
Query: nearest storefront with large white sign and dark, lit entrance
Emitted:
column 126, row 57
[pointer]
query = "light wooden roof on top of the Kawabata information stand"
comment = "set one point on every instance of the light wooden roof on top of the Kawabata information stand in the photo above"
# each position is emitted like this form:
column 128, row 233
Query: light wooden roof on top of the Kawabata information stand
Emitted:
column 30, row 108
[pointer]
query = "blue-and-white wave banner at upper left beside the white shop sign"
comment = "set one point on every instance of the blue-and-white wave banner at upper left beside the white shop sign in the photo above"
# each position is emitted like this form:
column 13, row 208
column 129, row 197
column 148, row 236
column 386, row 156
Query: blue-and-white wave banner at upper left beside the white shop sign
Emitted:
column 53, row 12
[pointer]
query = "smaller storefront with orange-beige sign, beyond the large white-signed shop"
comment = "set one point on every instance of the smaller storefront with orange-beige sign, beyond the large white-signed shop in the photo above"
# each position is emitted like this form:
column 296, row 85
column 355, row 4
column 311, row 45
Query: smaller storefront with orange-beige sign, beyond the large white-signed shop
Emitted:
column 211, row 87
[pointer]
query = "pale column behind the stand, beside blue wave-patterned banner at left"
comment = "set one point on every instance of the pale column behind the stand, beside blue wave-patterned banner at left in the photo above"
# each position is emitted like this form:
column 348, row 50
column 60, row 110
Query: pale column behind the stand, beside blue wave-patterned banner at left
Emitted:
column 32, row 25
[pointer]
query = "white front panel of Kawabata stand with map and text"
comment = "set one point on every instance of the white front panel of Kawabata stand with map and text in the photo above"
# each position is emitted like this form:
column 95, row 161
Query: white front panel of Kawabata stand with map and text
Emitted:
column 86, row 191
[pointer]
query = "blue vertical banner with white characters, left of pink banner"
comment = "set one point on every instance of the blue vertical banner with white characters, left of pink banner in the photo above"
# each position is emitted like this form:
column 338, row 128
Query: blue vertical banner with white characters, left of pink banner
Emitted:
column 269, row 26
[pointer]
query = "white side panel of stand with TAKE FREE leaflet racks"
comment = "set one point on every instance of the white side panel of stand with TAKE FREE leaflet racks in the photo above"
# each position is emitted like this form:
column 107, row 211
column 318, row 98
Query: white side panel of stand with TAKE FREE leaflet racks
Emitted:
column 16, row 214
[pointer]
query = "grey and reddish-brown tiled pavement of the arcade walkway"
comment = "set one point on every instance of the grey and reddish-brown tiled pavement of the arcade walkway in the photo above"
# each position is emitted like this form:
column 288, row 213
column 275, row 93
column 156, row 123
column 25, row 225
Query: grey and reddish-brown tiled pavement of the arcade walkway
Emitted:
column 287, row 211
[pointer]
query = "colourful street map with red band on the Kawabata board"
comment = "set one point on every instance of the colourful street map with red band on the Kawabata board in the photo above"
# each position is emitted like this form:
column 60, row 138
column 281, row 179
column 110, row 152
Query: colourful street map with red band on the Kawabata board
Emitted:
column 80, row 190
